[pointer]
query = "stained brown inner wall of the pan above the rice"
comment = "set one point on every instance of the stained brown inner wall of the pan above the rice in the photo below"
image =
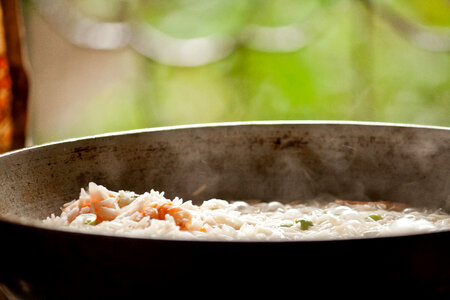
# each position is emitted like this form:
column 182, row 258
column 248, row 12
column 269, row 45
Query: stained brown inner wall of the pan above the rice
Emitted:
column 286, row 162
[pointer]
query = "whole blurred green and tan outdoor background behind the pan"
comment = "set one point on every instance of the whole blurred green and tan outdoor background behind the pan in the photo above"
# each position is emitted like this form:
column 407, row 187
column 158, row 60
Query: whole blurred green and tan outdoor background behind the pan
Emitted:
column 98, row 66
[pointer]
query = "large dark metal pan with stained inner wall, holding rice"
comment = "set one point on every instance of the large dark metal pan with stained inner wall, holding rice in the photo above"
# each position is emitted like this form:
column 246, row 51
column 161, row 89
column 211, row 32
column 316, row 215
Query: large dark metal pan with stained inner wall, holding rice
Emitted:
column 235, row 161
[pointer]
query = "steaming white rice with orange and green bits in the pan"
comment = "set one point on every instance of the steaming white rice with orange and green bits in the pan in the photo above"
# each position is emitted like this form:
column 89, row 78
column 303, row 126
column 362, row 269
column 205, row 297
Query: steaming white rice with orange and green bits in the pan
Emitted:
column 217, row 219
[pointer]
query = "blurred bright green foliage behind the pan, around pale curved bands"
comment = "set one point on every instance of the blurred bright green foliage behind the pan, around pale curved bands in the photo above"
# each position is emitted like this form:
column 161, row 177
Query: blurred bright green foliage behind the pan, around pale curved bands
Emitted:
column 357, row 68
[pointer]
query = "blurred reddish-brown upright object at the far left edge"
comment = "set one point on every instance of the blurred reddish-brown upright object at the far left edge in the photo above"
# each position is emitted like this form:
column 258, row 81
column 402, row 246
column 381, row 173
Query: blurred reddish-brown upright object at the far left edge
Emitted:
column 13, row 79
